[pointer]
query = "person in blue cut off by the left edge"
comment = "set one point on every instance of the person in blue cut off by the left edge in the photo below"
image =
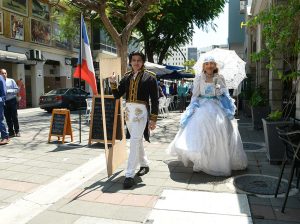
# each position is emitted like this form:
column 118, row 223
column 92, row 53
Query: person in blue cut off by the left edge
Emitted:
column 4, row 134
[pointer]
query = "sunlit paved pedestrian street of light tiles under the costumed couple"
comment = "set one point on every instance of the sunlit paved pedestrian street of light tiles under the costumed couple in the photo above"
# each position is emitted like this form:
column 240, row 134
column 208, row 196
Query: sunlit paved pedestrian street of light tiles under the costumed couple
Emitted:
column 43, row 183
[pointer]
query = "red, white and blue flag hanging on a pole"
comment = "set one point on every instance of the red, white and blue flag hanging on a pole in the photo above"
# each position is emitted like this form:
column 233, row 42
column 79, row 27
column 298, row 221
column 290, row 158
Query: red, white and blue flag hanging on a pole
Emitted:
column 85, row 64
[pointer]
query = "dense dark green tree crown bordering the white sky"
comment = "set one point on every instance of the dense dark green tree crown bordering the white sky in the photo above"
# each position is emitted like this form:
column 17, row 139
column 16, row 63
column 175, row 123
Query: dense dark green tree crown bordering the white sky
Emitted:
column 172, row 25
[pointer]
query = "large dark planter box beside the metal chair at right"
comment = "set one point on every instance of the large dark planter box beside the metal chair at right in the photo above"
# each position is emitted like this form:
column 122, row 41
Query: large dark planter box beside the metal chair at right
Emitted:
column 275, row 147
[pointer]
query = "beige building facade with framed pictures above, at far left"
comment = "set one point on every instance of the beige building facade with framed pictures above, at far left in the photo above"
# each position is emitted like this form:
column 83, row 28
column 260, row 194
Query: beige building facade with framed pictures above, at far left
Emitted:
column 32, row 49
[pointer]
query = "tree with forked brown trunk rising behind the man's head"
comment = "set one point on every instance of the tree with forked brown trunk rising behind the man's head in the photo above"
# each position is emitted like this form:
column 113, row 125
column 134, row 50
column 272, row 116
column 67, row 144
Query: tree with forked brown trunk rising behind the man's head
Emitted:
column 119, row 17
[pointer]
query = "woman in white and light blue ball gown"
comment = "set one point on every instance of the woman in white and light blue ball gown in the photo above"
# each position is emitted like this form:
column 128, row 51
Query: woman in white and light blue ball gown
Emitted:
column 207, row 136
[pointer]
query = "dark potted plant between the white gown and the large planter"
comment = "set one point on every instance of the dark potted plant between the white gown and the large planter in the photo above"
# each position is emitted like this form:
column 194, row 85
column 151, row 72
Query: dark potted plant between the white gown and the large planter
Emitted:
column 259, row 108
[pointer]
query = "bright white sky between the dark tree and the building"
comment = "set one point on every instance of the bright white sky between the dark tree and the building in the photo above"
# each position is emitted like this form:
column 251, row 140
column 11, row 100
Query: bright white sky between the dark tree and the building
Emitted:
column 205, row 39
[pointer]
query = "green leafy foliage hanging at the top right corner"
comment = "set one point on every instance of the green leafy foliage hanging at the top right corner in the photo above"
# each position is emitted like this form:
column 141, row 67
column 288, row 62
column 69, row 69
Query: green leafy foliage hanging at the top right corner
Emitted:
column 280, row 31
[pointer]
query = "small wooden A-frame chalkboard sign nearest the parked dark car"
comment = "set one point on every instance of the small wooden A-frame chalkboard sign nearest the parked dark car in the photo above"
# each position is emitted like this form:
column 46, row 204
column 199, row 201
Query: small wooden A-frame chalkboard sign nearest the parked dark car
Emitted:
column 60, row 125
